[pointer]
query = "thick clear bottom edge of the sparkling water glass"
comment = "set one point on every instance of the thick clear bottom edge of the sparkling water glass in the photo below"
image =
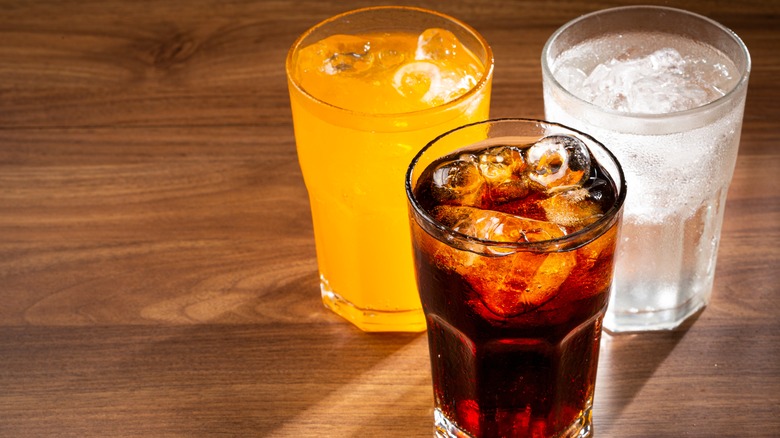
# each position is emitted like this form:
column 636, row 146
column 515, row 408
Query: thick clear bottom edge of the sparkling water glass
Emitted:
column 643, row 321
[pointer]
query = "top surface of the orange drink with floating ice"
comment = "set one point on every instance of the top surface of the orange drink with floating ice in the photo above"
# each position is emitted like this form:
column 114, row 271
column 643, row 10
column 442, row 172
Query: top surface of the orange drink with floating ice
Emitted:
column 388, row 73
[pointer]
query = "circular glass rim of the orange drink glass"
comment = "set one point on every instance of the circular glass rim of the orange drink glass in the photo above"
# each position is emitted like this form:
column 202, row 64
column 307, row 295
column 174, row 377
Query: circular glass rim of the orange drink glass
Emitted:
column 481, row 83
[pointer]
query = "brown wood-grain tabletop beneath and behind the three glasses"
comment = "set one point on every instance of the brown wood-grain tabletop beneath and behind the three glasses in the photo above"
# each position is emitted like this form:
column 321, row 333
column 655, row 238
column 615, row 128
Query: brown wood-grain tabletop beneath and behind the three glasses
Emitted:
column 157, row 267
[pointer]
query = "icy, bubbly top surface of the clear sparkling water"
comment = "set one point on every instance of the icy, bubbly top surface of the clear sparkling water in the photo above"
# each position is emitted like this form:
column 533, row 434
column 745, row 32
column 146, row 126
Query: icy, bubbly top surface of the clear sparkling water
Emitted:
column 626, row 74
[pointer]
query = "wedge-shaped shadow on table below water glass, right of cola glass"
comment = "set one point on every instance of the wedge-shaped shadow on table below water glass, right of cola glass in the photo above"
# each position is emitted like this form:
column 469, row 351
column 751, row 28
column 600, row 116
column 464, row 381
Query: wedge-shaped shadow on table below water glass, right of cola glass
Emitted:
column 627, row 363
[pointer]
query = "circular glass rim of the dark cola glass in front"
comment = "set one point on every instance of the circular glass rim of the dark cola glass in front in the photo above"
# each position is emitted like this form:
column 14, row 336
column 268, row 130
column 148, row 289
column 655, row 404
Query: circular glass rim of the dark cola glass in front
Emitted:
column 563, row 243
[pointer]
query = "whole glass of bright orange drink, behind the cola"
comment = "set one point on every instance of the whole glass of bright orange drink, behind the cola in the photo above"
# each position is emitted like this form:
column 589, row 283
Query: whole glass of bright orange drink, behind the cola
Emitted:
column 368, row 89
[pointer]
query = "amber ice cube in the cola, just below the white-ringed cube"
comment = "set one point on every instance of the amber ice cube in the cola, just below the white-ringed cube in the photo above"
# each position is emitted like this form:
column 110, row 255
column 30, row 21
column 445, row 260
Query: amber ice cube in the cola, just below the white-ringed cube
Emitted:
column 571, row 208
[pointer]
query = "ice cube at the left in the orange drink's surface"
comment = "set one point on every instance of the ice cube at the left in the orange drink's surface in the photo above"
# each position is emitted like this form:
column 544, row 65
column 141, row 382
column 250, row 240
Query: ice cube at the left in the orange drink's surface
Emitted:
column 345, row 55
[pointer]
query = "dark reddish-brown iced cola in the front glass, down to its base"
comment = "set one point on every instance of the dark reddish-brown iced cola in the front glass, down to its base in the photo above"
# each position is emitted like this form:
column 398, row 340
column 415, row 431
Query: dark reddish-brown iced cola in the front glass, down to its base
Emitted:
column 514, row 331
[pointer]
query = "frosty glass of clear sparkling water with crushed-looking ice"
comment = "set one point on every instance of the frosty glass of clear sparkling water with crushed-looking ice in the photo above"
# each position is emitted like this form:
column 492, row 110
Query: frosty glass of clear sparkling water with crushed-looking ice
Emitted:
column 665, row 90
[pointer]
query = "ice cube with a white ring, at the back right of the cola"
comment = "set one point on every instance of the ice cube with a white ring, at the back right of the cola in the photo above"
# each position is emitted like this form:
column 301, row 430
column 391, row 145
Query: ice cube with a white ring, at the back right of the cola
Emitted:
column 558, row 162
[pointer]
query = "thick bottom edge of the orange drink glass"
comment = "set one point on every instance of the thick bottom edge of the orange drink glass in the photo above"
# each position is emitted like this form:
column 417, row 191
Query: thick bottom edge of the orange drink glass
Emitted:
column 371, row 320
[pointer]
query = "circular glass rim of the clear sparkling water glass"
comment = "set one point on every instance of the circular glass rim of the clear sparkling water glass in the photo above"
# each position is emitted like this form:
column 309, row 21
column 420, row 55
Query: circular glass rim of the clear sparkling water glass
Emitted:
column 742, row 83
